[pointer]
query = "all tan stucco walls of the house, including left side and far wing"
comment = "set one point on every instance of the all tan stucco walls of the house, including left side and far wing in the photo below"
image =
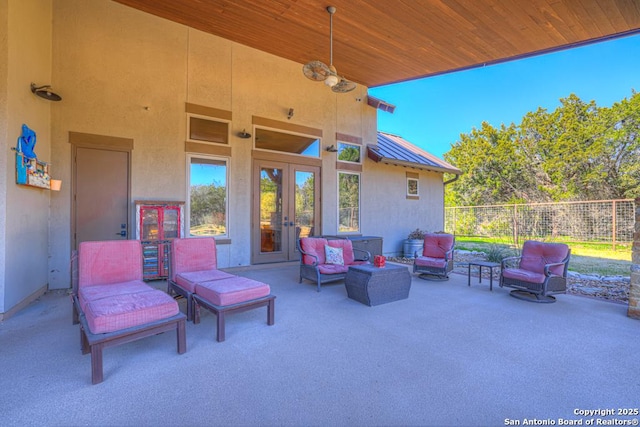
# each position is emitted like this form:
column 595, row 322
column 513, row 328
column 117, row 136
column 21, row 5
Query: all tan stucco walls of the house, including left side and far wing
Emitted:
column 124, row 73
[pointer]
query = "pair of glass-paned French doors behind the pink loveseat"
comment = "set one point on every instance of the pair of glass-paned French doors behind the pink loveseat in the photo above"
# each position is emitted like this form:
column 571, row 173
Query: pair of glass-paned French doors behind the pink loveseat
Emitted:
column 286, row 206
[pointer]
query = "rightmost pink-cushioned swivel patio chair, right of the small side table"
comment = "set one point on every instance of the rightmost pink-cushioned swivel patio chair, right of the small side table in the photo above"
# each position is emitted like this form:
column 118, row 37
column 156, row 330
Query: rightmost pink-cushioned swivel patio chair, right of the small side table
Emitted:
column 538, row 273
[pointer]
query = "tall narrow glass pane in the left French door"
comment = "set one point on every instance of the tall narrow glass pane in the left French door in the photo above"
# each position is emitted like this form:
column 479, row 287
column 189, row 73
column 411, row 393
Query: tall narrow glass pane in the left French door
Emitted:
column 270, row 210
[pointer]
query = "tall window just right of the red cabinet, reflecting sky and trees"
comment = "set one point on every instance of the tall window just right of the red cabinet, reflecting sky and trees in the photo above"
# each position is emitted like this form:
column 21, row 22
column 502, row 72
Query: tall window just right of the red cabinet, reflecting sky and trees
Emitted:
column 208, row 196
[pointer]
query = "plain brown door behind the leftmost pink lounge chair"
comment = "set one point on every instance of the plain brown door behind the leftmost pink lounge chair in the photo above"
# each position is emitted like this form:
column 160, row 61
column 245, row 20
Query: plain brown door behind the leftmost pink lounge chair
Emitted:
column 100, row 200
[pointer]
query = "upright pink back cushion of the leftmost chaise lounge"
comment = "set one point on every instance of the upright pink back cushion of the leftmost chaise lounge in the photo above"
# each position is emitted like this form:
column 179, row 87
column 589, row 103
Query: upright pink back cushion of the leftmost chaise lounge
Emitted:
column 106, row 262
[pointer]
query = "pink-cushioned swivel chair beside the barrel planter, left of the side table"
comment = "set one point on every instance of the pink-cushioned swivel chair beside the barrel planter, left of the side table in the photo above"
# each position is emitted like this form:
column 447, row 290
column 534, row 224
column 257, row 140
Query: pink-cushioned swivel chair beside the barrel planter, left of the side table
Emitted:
column 436, row 260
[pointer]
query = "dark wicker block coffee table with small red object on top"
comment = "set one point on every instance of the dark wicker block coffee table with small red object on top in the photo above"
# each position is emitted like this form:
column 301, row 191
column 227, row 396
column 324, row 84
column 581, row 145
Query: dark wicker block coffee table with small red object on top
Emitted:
column 378, row 285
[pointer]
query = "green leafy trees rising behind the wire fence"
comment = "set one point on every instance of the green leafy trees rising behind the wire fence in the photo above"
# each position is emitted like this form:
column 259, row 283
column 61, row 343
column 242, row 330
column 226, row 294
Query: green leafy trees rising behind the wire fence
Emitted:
column 577, row 152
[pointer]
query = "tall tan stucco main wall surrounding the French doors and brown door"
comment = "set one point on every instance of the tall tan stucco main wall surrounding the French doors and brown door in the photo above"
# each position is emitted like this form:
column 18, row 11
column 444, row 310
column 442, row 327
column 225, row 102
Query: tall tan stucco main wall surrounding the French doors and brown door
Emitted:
column 111, row 61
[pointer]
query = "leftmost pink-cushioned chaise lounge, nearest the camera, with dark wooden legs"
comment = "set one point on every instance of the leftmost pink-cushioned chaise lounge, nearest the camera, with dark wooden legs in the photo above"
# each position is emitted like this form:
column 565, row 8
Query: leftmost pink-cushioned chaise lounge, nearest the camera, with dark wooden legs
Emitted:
column 112, row 303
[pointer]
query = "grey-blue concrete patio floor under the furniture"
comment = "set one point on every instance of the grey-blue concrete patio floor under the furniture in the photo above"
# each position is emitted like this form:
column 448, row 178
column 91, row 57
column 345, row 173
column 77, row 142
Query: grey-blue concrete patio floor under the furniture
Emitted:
column 448, row 355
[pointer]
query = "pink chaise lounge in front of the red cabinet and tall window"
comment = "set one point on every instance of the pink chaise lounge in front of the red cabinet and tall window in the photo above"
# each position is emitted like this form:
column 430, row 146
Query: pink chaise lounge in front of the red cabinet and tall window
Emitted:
column 194, row 274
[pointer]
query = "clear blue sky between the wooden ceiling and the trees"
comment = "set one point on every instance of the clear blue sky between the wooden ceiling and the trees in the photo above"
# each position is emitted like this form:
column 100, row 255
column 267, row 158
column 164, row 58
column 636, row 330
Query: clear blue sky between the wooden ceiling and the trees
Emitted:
column 432, row 112
